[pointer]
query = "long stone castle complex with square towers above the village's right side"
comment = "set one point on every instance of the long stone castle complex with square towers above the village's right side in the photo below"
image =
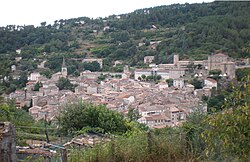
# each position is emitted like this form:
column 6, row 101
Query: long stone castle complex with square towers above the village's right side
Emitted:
column 218, row 61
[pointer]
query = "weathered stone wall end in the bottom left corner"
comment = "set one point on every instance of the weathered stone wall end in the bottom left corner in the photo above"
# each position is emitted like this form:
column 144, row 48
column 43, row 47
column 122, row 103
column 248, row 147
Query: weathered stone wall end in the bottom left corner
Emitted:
column 7, row 142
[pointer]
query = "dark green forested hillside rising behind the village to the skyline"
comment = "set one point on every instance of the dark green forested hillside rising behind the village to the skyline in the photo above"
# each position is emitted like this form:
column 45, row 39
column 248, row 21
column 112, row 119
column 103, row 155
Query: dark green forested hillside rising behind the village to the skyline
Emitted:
column 192, row 30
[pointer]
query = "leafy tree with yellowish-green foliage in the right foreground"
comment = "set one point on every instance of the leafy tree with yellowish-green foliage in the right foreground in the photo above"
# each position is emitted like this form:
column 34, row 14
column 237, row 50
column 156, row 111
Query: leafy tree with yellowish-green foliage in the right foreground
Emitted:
column 227, row 135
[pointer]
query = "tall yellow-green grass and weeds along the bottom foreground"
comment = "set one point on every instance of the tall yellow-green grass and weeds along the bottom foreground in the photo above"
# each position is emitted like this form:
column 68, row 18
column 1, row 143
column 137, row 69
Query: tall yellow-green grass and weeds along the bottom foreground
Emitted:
column 138, row 146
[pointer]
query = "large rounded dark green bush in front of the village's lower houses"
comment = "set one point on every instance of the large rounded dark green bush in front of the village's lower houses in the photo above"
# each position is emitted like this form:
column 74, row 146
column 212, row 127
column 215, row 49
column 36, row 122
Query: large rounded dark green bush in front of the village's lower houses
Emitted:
column 76, row 117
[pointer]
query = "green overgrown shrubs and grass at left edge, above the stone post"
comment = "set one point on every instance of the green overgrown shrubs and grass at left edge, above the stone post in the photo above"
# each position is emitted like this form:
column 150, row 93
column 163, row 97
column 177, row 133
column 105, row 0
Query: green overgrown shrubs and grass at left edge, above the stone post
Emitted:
column 26, row 127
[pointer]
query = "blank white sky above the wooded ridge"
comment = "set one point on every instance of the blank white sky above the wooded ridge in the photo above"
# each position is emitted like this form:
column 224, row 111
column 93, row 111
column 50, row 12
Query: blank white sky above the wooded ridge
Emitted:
column 33, row 12
